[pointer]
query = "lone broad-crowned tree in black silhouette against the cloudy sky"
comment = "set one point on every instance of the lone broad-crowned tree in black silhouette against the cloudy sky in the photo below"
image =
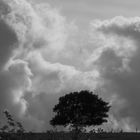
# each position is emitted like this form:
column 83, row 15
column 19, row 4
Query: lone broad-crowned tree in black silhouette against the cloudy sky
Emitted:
column 79, row 110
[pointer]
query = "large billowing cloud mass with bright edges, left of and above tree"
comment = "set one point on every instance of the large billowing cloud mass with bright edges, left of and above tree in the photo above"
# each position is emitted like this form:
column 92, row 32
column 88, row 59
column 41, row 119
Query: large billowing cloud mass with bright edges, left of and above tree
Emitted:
column 37, row 65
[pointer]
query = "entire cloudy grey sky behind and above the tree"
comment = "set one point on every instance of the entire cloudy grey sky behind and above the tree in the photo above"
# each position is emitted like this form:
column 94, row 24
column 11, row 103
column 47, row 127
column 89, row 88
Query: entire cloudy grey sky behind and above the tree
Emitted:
column 49, row 48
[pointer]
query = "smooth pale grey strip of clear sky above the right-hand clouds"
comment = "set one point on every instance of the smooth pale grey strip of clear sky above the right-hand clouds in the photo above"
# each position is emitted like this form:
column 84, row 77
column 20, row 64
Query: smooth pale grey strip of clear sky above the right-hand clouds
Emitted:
column 82, row 11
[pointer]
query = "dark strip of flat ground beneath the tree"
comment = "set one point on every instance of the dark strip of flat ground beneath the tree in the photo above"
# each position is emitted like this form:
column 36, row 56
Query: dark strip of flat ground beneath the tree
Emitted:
column 68, row 136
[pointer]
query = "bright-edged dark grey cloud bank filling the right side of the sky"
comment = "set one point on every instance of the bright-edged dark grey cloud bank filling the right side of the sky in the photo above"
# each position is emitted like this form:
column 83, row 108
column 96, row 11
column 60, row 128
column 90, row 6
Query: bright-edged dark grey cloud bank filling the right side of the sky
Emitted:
column 118, row 64
